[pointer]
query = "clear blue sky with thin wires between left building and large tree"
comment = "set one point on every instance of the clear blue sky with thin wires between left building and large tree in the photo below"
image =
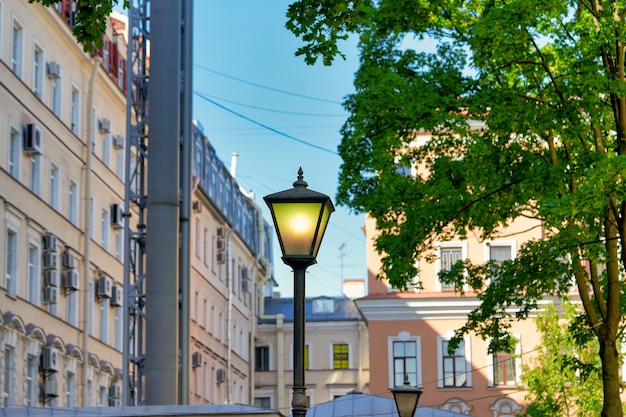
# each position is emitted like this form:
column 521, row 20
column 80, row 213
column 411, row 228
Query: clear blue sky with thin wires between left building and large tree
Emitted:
column 255, row 98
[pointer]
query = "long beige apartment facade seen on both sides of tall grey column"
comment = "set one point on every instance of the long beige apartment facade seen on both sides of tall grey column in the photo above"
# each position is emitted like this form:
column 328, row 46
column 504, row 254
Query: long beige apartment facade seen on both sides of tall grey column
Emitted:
column 62, row 171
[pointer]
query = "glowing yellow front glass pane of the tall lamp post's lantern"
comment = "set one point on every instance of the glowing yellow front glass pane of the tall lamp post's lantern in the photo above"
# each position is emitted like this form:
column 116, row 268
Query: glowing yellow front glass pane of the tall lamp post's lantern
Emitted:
column 296, row 224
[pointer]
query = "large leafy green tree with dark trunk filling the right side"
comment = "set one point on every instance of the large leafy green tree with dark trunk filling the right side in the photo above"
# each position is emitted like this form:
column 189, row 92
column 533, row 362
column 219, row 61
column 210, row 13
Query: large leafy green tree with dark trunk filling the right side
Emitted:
column 547, row 78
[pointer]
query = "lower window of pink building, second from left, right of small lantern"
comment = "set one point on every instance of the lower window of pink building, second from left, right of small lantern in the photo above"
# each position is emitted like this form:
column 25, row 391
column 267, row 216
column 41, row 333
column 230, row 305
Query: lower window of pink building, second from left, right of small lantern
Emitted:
column 454, row 368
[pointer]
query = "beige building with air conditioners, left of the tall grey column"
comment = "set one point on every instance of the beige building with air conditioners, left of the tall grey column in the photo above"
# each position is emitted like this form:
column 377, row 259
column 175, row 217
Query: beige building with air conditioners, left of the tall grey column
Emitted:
column 62, row 118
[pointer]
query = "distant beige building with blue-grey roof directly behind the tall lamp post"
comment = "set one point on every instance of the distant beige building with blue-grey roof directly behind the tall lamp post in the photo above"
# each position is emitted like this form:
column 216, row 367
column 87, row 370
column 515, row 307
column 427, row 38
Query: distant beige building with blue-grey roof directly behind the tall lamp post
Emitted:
column 336, row 351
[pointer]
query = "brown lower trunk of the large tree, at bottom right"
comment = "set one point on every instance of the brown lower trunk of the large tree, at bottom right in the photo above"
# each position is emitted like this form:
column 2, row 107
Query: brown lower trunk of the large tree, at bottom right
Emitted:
column 610, row 376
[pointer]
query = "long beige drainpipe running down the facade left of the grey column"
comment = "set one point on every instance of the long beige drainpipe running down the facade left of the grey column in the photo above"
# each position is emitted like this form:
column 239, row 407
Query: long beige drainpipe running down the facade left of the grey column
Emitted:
column 87, row 218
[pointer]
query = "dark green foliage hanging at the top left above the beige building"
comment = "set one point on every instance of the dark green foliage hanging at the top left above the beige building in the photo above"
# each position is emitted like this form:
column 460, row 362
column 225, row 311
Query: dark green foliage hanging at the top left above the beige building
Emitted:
column 91, row 18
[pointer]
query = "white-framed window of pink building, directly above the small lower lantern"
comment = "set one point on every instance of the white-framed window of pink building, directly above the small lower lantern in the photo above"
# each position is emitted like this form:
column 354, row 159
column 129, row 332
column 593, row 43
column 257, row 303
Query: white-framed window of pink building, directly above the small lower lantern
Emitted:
column 405, row 360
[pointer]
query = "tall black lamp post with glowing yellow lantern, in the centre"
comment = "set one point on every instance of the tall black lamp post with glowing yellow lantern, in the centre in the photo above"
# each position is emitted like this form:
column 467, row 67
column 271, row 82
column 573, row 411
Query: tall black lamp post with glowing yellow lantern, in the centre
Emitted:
column 300, row 218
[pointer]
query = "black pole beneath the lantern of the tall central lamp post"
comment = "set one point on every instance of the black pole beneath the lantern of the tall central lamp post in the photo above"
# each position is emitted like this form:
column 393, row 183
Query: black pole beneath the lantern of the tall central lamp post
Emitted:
column 299, row 402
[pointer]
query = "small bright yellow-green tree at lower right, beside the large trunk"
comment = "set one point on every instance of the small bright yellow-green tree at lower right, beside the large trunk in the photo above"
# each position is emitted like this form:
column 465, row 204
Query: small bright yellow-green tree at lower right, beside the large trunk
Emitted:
column 565, row 378
